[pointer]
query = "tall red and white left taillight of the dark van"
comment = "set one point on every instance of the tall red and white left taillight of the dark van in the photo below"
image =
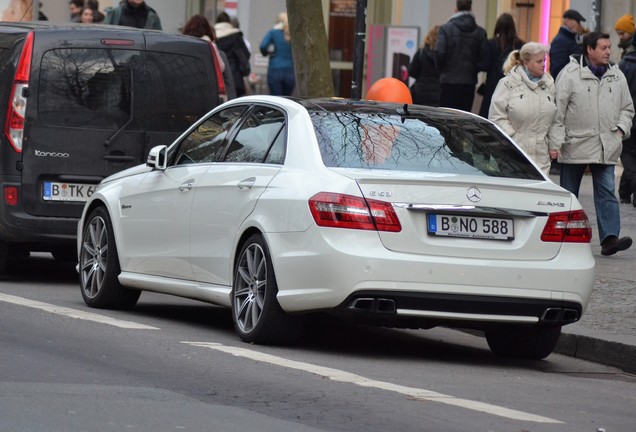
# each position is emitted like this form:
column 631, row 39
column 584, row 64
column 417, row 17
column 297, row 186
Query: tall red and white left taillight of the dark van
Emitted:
column 14, row 122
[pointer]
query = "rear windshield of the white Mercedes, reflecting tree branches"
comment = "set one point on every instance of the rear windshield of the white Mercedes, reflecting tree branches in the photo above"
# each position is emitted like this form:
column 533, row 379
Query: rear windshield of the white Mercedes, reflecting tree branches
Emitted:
column 387, row 141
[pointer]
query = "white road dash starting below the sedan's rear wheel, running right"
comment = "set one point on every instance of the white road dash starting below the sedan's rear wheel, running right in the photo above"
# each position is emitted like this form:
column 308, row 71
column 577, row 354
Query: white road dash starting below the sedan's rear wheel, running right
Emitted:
column 346, row 377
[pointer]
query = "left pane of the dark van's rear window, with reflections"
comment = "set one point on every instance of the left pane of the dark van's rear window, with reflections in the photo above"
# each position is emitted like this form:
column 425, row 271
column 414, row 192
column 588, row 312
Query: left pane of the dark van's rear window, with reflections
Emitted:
column 88, row 88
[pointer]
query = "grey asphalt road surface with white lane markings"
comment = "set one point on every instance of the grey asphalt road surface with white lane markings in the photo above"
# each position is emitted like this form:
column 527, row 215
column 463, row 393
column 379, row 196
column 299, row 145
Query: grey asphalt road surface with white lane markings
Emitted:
column 174, row 364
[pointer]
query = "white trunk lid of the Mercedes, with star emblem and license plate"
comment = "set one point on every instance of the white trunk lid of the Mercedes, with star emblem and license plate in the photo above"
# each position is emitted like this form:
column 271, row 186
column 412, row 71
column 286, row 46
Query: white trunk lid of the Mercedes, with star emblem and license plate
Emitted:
column 468, row 217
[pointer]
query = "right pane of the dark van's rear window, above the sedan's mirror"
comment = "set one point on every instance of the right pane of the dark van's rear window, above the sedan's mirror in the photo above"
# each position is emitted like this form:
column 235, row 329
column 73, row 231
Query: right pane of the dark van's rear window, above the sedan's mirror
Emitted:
column 180, row 90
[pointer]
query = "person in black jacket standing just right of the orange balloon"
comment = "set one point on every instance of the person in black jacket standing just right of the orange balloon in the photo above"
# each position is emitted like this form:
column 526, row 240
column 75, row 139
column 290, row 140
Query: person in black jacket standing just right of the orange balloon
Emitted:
column 426, row 89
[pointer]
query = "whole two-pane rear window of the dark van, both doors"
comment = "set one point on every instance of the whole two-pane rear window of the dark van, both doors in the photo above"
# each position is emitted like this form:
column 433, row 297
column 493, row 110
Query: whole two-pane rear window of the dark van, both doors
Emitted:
column 108, row 88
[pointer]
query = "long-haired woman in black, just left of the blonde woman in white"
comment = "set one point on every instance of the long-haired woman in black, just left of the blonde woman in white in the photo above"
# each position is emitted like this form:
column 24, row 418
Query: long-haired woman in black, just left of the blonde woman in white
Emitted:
column 493, row 55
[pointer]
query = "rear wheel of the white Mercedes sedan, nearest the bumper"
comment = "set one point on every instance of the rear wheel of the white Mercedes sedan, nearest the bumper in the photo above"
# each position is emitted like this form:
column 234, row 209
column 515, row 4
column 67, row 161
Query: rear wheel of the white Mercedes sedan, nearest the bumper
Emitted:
column 256, row 314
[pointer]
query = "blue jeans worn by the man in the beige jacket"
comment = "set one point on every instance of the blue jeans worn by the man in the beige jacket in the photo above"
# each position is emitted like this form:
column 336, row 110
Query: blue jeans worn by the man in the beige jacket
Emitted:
column 608, row 215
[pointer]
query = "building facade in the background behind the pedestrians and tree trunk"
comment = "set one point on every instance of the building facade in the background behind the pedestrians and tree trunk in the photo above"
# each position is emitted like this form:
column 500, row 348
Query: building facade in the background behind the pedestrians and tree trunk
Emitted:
column 537, row 20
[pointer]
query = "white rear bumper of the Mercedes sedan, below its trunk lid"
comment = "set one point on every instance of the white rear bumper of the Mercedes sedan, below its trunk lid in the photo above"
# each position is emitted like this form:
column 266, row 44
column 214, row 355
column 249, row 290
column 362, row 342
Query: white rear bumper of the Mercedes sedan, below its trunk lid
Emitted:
column 328, row 271
